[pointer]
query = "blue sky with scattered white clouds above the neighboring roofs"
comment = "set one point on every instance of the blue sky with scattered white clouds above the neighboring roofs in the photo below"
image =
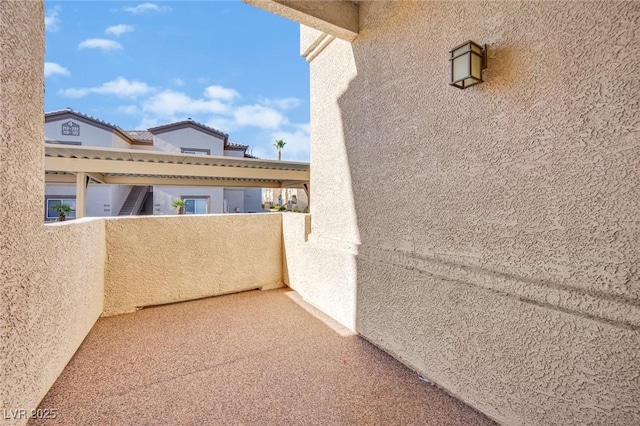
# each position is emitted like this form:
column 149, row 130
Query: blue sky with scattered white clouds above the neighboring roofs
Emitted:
column 141, row 64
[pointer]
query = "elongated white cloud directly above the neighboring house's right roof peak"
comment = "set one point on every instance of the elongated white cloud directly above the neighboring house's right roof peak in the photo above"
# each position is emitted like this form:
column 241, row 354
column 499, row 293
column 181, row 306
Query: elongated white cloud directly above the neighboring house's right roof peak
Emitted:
column 170, row 103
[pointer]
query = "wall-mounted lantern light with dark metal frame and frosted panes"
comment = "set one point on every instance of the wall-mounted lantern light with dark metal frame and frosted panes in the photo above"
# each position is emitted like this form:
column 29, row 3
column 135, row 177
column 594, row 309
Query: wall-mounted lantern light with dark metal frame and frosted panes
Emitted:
column 467, row 62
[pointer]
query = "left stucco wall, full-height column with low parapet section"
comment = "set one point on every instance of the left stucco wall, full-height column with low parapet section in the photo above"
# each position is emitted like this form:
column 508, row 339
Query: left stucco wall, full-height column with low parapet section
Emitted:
column 50, row 278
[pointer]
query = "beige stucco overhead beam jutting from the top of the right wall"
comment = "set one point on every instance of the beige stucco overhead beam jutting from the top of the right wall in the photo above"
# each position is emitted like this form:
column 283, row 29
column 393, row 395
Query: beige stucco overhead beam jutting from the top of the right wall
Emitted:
column 339, row 18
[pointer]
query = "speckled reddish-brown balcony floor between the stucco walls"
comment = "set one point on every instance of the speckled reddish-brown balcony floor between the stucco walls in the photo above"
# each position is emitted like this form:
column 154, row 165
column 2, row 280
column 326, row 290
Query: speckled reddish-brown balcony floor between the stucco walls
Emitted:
column 247, row 358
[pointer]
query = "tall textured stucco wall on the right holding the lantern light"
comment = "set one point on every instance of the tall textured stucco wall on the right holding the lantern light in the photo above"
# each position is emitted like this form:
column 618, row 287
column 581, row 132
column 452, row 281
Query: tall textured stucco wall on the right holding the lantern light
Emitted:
column 498, row 225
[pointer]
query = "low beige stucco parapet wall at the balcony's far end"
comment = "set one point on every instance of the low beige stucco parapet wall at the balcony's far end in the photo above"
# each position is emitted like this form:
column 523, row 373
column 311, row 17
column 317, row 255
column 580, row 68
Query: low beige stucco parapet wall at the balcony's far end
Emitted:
column 156, row 260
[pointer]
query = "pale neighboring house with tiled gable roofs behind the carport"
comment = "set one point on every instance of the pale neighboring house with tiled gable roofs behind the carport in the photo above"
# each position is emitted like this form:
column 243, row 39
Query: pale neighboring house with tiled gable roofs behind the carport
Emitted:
column 190, row 137
